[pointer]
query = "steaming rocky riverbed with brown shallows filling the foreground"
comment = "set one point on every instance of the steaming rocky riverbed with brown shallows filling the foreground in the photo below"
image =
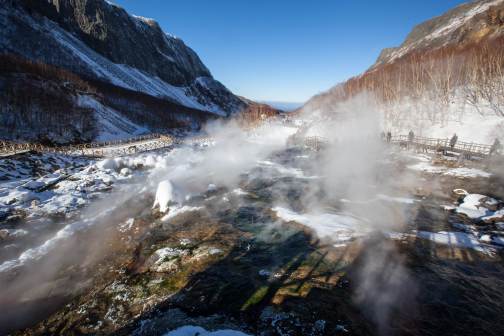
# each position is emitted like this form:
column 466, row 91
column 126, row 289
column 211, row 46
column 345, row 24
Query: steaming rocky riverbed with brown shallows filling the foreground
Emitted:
column 258, row 258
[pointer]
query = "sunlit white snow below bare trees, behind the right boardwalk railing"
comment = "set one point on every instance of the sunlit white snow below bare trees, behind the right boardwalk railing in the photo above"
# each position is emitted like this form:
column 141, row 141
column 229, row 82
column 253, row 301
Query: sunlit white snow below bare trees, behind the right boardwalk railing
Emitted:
column 424, row 116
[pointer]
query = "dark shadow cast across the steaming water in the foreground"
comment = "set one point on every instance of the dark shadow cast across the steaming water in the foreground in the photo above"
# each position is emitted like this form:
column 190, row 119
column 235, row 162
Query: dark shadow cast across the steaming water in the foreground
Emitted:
column 407, row 290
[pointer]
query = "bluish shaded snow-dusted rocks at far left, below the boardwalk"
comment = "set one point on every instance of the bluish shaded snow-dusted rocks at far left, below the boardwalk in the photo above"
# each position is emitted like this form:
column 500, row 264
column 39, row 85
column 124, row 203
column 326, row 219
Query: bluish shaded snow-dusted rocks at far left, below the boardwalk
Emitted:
column 77, row 193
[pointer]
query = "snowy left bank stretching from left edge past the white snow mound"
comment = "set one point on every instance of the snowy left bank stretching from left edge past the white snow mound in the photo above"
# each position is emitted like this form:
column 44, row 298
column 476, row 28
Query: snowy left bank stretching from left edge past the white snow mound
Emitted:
column 37, row 187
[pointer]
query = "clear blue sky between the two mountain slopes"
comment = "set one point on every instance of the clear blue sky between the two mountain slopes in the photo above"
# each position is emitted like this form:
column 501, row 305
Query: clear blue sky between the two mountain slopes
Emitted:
column 287, row 50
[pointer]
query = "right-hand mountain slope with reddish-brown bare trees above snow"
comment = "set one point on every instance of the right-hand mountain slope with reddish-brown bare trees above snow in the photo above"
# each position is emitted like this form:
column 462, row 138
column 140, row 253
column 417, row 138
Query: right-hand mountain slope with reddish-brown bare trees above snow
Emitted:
column 447, row 76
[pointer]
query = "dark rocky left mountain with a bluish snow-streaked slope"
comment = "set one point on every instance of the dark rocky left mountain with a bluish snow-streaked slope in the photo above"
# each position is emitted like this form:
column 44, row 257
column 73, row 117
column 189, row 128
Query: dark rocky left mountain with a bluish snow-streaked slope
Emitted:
column 100, row 42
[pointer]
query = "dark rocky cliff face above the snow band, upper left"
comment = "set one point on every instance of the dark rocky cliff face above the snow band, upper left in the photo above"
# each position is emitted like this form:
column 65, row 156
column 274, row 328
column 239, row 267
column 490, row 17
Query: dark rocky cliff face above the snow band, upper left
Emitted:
column 124, row 39
